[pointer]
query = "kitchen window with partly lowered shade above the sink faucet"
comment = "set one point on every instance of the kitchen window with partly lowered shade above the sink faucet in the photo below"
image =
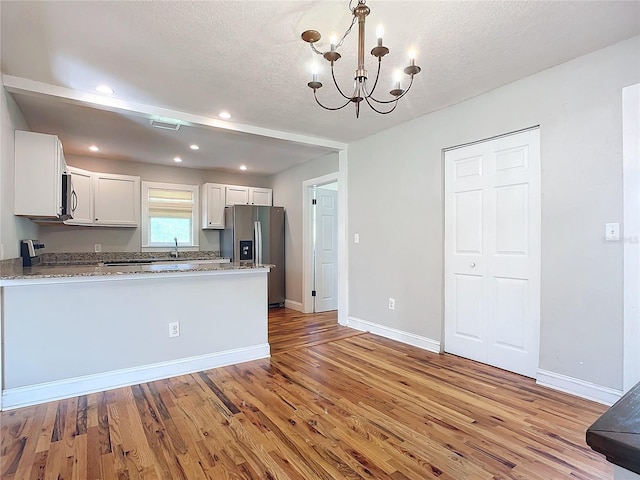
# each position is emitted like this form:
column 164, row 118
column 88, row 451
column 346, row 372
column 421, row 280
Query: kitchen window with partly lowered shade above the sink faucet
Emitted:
column 169, row 212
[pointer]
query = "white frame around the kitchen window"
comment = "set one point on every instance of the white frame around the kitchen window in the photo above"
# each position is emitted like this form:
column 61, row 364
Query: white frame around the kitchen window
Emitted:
column 145, row 218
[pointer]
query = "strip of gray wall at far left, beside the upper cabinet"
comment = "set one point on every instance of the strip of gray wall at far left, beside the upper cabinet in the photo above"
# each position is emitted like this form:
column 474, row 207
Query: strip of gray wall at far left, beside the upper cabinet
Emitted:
column 12, row 228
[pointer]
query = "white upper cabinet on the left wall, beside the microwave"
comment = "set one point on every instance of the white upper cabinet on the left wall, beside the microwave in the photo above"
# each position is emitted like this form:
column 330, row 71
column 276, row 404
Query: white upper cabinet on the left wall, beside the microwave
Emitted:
column 39, row 165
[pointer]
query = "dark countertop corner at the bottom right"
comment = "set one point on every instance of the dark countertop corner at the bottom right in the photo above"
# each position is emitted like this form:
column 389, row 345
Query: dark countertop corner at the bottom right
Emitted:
column 616, row 434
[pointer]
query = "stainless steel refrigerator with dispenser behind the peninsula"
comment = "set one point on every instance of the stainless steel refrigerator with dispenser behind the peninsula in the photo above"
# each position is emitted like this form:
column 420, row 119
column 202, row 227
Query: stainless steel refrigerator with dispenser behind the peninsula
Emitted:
column 255, row 234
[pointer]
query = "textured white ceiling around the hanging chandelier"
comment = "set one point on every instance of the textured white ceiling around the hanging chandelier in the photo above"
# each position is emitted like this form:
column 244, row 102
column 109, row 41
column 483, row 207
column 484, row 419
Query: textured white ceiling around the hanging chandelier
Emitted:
column 247, row 57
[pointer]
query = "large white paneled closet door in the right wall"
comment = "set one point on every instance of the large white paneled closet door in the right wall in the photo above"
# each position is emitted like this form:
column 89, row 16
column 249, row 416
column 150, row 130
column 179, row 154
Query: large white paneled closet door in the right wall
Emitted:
column 492, row 252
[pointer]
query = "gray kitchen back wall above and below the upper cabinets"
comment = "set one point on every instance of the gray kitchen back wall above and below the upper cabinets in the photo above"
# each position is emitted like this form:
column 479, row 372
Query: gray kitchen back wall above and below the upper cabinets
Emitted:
column 67, row 238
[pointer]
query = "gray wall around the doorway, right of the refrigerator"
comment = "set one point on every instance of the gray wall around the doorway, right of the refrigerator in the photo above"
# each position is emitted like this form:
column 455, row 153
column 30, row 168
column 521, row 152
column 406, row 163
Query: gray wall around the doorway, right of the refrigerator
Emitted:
column 287, row 193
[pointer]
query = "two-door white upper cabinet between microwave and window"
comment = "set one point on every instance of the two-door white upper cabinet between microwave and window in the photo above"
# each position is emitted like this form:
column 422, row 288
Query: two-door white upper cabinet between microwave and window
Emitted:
column 105, row 199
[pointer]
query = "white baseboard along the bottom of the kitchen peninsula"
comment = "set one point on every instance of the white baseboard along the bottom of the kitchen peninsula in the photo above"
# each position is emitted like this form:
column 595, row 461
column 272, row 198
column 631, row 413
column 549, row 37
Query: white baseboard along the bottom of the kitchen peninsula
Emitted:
column 73, row 387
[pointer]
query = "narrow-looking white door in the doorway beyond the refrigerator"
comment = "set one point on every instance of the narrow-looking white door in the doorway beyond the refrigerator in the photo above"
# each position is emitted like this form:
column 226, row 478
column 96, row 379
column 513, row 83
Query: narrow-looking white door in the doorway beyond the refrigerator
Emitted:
column 326, row 250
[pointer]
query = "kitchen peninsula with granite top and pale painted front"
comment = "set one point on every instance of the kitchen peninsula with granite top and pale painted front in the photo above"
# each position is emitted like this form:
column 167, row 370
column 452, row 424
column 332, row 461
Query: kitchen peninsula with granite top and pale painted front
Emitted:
column 75, row 329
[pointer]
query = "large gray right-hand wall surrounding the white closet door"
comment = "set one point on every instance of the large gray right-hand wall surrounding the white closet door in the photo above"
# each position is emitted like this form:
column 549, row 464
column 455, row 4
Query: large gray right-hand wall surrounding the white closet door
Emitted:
column 396, row 205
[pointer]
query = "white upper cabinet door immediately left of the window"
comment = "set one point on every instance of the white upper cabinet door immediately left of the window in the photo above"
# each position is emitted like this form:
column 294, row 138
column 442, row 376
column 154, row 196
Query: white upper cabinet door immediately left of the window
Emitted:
column 117, row 200
